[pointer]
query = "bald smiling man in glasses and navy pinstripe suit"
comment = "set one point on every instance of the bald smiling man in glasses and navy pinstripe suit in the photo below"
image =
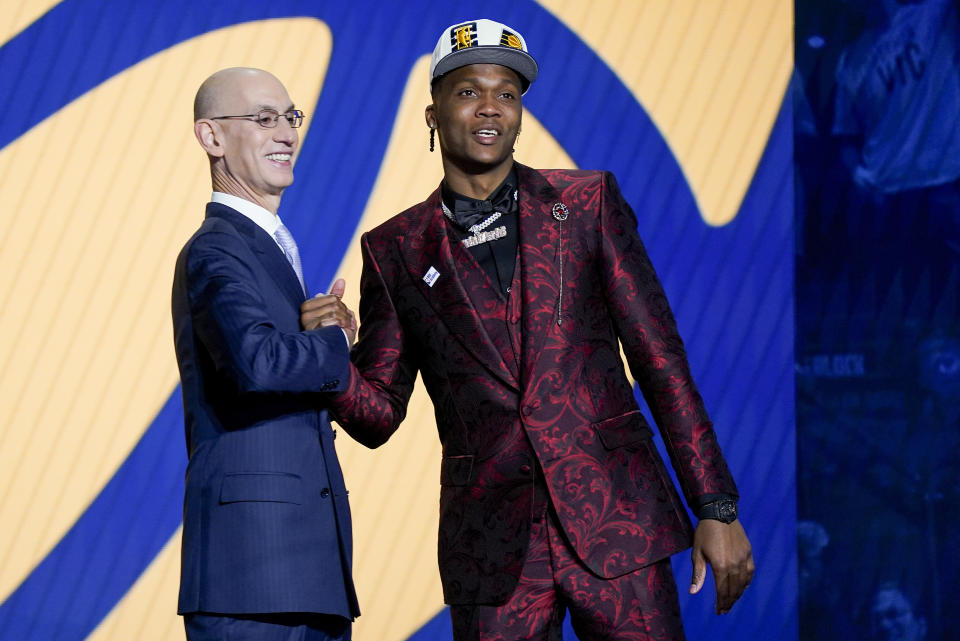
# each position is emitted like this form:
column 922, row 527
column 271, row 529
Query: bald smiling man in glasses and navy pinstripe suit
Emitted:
column 266, row 524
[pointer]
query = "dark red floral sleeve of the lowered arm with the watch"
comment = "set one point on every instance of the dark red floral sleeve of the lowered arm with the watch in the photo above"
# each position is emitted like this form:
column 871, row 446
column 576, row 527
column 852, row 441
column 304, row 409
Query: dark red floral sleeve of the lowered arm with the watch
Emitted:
column 655, row 352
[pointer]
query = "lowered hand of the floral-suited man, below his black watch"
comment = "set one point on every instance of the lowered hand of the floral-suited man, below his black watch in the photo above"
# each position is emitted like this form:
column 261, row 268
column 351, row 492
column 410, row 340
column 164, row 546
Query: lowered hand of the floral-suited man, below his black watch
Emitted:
column 727, row 549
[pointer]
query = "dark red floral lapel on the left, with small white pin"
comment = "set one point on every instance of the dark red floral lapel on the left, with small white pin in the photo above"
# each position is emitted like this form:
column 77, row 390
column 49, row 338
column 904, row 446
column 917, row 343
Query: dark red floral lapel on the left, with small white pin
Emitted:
column 428, row 248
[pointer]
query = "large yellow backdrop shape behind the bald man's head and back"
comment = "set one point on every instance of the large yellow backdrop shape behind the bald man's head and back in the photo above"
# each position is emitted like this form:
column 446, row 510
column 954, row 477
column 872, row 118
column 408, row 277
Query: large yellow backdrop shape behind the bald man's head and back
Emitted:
column 98, row 200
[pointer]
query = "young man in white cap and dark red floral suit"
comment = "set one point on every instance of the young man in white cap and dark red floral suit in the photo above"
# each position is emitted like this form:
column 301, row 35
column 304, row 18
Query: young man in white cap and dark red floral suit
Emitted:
column 510, row 290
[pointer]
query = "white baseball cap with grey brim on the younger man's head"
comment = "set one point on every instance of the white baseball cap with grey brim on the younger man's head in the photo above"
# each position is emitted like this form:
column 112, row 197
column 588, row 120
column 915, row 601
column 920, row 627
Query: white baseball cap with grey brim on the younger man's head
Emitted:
column 482, row 41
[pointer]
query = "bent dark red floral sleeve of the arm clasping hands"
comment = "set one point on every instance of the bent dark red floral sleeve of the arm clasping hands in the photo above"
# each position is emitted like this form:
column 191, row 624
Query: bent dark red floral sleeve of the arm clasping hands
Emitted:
column 383, row 372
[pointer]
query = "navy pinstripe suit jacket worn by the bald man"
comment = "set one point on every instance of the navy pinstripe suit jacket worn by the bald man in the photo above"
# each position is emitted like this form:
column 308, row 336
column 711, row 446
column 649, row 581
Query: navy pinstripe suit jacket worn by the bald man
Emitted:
column 266, row 522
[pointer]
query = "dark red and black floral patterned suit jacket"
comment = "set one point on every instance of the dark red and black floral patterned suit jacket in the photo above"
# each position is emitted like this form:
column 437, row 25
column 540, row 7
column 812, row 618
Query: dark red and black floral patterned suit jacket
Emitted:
column 531, row 398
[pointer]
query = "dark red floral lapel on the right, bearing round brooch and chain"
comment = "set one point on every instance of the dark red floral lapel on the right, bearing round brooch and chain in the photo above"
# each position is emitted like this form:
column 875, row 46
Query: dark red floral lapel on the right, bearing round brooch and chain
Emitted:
column 539, row 263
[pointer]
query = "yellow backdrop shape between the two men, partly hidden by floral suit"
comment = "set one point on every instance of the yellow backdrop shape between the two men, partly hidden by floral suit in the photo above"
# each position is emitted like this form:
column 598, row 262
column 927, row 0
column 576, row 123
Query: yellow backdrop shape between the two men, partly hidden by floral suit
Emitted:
column 395, row 490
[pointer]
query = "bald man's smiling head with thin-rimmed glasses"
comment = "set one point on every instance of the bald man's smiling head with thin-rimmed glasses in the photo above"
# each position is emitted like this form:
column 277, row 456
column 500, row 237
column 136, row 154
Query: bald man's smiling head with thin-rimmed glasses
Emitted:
column 249, row 161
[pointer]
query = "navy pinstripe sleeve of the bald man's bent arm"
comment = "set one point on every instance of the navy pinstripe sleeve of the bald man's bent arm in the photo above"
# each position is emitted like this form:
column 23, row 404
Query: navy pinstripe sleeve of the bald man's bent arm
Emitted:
column 231, row 320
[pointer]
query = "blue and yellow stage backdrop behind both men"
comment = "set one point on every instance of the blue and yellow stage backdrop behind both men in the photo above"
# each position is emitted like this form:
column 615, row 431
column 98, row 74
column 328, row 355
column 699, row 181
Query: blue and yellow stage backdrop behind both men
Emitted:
column 101, row 183
